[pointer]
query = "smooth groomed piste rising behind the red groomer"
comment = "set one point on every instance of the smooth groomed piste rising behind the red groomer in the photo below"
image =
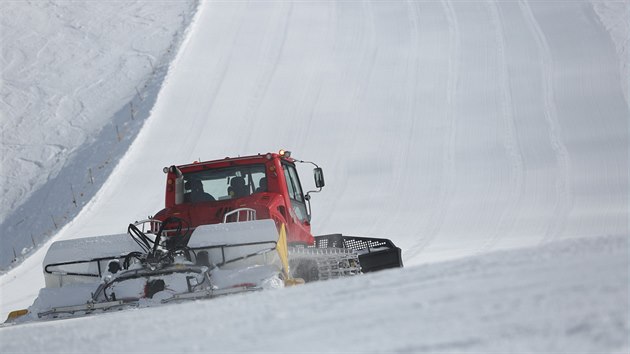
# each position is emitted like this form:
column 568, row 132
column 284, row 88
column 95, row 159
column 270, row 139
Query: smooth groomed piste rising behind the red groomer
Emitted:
column 503, row 122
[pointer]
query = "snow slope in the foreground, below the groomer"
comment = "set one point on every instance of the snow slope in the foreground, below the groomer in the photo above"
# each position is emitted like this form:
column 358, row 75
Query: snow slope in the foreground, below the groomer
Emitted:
column 567, row 297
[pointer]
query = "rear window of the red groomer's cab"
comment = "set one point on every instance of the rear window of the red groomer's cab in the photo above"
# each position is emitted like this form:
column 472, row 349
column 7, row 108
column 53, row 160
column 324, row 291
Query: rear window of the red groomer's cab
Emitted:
column 224, row 183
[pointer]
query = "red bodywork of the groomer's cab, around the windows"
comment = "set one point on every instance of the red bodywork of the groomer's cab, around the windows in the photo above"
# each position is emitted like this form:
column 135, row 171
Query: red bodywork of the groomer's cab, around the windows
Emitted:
column 274, row 203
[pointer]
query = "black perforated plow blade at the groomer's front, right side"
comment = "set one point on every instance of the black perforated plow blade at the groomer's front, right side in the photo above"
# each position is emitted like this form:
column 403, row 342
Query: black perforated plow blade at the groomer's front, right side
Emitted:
column 374, row 253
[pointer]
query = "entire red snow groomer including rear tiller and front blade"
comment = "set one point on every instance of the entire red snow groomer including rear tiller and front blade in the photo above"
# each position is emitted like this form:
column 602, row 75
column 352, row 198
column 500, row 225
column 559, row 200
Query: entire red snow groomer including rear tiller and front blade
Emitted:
column 229, row 226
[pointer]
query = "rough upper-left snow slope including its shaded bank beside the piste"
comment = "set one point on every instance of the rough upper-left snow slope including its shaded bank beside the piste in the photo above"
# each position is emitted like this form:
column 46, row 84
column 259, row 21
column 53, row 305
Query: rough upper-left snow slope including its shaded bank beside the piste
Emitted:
column 78, row 80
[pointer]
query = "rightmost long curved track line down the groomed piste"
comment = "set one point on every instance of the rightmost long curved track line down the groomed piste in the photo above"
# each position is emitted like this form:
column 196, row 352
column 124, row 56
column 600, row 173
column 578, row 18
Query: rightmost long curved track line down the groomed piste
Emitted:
column 563, row 188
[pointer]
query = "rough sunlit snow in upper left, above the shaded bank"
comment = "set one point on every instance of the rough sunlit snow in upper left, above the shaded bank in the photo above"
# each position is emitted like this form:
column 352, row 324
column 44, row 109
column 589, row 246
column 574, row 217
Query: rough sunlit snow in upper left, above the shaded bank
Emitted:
column 66, row 69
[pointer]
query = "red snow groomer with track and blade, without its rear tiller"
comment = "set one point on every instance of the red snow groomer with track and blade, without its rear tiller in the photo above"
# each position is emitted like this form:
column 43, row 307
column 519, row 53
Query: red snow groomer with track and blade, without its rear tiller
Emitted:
column 268, row 187
